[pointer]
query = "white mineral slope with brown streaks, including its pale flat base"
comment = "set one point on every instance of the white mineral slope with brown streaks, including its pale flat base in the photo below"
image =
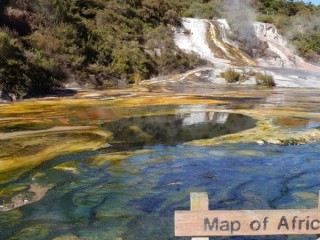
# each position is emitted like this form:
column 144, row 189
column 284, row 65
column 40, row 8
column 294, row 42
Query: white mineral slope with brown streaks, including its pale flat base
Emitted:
column 214, row 41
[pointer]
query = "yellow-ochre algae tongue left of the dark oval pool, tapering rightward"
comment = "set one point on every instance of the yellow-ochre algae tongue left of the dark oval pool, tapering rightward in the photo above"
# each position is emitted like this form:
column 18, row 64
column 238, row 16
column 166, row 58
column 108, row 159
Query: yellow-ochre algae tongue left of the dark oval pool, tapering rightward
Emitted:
column 31, row 151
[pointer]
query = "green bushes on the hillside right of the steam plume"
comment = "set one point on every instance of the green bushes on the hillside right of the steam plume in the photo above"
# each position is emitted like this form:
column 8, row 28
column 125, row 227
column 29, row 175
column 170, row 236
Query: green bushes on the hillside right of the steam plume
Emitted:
column 298, row 21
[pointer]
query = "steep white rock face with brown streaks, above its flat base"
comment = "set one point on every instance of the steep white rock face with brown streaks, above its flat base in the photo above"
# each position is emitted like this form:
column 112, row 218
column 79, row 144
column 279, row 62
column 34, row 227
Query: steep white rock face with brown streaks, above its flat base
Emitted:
column 214, row 41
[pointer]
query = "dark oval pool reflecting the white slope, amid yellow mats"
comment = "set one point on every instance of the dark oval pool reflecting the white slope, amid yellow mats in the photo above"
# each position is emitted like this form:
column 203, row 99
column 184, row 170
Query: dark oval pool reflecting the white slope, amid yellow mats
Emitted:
column 173, row 129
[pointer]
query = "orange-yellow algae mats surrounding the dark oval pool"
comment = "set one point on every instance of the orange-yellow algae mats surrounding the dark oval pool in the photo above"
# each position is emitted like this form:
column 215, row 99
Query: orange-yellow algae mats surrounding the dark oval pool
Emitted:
column 19, row 155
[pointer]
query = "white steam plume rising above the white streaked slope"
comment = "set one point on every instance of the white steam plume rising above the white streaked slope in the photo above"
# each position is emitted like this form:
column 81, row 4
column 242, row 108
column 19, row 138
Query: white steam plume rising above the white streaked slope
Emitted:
column 241, row 15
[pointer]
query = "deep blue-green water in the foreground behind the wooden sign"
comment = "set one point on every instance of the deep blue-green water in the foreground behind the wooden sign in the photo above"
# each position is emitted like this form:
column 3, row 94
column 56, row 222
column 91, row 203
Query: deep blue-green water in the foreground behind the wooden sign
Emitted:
column 135, row 198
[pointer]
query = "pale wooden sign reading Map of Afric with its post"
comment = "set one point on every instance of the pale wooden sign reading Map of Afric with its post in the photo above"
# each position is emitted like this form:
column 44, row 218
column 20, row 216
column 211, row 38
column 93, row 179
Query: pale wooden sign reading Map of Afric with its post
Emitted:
column 199, row 222
